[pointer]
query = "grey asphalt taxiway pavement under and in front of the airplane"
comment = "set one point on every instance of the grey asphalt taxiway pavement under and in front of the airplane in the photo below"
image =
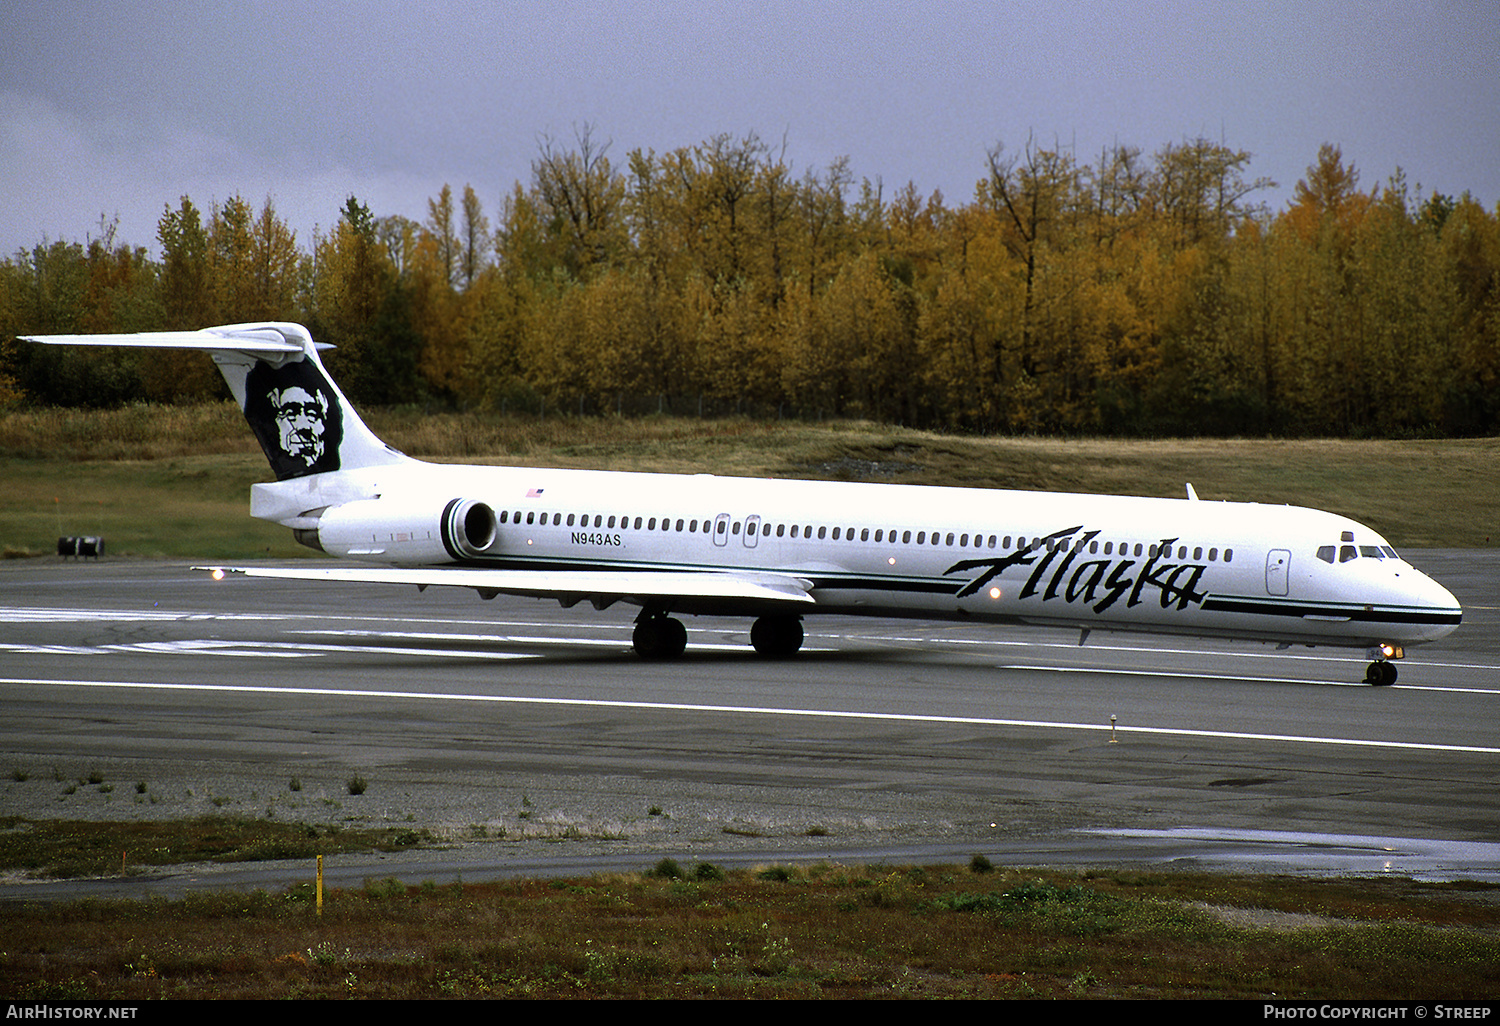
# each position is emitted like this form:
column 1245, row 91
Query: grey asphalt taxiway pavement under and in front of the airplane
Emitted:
column 535, row 740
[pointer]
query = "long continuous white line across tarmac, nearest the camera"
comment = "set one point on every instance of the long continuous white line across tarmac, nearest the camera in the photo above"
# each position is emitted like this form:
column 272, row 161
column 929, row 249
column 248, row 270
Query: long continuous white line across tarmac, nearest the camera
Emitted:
column 752, row 710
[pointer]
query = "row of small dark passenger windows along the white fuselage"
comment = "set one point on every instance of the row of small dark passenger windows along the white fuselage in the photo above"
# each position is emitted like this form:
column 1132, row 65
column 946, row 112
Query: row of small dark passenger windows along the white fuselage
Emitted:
column 880, row 536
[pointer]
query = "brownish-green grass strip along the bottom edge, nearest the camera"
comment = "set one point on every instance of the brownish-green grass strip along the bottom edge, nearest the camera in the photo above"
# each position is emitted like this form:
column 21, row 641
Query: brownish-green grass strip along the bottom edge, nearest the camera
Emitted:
column 781, row 932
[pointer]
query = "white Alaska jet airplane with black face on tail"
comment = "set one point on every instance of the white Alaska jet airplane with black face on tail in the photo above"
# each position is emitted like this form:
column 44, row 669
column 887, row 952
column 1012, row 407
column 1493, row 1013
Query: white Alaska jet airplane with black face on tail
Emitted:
column 778, row 551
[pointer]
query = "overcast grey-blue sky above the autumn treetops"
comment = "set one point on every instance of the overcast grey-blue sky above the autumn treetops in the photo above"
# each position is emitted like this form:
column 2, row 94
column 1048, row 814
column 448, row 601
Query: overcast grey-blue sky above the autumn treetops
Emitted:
column 113, row 107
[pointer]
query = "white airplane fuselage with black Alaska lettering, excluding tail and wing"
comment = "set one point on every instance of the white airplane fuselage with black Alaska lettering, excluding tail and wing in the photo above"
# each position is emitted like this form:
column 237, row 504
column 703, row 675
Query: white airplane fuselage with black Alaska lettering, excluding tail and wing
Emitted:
column 1085, row 562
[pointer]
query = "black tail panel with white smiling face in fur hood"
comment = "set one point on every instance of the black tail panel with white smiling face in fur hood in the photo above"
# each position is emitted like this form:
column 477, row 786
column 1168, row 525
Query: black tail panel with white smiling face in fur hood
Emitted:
column 296, row 418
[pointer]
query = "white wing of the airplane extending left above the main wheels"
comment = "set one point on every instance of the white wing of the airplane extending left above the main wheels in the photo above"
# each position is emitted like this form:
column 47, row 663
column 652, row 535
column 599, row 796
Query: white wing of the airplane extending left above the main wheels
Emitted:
column 569, row 587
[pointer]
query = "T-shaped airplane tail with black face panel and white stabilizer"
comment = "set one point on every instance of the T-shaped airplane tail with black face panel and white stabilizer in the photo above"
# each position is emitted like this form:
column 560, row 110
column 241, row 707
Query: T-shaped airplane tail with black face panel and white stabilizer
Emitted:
column 304, row 424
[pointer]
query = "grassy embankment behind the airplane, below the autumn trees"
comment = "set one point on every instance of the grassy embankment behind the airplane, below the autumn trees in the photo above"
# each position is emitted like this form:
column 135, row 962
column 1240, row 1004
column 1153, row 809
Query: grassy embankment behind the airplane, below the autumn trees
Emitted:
column 175, row 482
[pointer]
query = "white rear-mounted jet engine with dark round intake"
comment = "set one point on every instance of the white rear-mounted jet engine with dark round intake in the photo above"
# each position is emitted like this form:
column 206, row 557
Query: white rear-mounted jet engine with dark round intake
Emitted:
column 404, row 532
